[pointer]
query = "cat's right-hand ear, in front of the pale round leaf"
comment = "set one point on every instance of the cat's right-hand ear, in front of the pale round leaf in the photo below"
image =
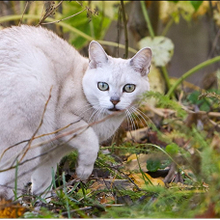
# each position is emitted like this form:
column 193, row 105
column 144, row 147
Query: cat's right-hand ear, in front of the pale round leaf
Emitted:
column 141, row 61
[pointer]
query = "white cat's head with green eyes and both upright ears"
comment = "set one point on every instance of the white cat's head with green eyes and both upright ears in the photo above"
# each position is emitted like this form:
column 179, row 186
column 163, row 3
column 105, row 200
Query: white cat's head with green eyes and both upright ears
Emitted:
column 113, row 84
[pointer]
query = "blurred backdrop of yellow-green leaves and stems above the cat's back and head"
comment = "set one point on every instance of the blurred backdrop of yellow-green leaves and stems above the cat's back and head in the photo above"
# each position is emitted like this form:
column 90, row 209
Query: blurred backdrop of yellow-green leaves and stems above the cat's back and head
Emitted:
column 182, row 34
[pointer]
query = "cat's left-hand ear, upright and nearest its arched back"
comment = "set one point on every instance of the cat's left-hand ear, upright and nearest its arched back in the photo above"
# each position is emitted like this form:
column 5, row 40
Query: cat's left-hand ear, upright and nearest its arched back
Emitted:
column 97, row 55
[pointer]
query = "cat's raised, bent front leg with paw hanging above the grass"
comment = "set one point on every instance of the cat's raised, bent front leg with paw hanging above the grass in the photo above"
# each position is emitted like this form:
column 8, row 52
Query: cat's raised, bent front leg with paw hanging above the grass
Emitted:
column 84, row 140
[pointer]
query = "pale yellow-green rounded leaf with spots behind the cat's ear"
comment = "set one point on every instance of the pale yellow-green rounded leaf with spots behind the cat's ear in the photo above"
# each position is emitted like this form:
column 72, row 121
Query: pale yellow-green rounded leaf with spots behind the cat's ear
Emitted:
column 162, row 49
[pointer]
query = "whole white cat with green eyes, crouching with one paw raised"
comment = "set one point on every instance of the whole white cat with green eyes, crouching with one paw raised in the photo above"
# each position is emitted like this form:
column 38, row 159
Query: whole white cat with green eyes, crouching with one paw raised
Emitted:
column 46, row 85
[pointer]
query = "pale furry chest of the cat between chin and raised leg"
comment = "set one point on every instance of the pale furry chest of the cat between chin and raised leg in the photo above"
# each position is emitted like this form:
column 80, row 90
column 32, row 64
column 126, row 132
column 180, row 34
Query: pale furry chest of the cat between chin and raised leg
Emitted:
column 108, row 127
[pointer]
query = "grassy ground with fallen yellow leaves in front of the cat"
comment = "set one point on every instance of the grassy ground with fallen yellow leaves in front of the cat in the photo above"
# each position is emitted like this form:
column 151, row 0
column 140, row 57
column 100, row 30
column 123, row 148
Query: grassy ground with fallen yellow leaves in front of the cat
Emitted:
column 118, row 190
